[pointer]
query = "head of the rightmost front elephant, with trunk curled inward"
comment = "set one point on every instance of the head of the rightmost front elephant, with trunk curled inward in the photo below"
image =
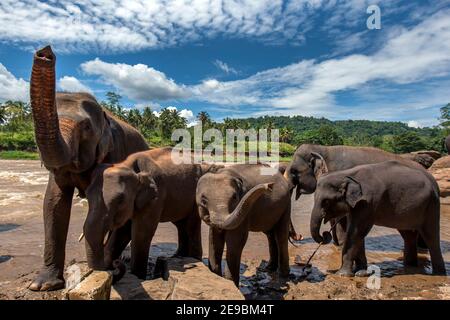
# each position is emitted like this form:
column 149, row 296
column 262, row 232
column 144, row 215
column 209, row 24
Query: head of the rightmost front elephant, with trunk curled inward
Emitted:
column 335, row 196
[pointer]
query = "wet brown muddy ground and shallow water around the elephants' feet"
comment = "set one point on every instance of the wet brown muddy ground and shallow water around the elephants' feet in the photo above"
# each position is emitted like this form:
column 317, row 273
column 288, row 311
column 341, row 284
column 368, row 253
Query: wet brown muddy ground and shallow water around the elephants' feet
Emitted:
column 22, row 184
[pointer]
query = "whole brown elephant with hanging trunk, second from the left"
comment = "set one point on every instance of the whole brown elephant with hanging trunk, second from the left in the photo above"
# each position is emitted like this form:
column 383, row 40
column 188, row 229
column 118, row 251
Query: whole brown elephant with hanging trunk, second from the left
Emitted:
column 145, row 189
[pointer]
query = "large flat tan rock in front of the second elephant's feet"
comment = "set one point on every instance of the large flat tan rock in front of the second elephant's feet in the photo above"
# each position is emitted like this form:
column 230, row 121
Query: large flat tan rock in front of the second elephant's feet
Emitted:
column 189, row 279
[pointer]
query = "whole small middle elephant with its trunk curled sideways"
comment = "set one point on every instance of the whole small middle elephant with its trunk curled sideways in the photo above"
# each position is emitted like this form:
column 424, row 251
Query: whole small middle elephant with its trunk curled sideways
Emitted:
column 236, row 200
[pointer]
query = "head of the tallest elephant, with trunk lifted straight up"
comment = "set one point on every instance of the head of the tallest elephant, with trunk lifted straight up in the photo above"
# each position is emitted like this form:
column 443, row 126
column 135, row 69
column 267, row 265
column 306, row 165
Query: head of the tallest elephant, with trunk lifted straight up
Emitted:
column 71, row 129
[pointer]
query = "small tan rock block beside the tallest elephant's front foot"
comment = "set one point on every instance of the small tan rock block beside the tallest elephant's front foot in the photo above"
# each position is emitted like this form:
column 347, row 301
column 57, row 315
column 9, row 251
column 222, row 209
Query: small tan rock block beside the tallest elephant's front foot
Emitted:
column 96, row 286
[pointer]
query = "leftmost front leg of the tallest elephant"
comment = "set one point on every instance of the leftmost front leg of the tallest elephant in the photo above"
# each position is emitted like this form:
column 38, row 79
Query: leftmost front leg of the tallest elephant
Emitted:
column 57, row 205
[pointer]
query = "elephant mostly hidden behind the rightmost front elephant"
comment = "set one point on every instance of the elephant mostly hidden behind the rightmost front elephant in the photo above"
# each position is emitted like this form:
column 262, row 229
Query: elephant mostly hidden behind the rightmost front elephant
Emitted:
column 306, row 166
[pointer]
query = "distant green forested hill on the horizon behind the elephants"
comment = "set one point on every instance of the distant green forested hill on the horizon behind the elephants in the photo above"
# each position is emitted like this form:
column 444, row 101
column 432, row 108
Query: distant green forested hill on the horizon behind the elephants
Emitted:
column 391, row 136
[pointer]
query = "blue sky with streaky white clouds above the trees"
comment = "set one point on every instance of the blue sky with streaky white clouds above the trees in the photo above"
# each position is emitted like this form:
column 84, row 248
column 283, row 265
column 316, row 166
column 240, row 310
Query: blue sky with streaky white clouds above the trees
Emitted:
column 240, row 58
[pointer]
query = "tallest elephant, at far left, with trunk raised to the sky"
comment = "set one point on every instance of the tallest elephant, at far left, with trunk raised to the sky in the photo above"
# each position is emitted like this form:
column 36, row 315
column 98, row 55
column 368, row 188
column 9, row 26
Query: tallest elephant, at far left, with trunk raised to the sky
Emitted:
column 73, row 134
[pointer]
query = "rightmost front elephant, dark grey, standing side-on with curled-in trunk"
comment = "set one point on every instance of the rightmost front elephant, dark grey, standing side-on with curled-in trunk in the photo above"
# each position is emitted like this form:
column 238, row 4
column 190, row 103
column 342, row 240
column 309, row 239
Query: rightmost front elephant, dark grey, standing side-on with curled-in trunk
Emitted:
column 386, row 194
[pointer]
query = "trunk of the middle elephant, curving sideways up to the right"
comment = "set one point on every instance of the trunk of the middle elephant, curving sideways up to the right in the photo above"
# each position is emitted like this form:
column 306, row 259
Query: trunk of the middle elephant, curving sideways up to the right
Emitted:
column 243, row 208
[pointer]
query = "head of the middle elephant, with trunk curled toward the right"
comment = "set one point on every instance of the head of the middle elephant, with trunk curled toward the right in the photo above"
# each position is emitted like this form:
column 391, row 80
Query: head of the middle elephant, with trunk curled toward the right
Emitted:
column 224, row 201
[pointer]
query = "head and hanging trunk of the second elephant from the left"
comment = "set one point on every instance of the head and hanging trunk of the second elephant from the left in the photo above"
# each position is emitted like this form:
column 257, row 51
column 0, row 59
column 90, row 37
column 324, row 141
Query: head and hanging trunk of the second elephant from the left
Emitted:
column 115, row 194
